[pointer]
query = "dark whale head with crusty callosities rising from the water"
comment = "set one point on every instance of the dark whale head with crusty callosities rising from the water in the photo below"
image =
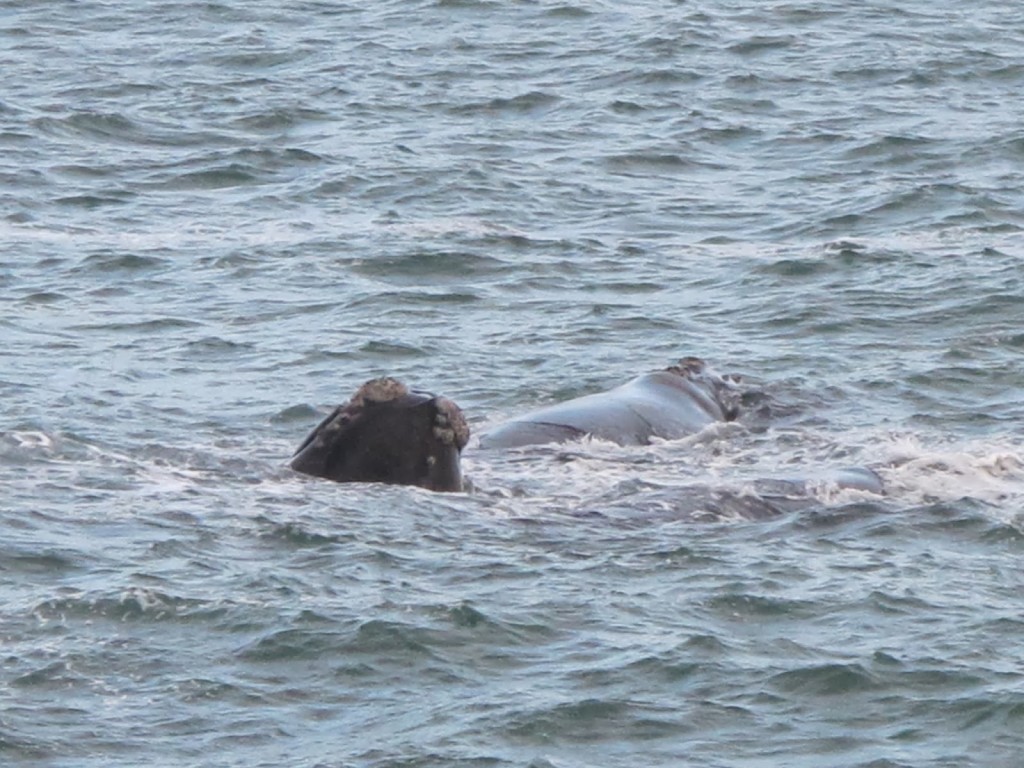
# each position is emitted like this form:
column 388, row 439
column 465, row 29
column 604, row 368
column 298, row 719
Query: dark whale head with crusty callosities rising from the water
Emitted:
column 389, row 434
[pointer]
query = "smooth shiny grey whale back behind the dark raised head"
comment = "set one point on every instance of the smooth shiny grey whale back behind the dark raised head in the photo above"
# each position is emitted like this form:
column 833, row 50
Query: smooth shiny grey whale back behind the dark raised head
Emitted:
column 671, row 404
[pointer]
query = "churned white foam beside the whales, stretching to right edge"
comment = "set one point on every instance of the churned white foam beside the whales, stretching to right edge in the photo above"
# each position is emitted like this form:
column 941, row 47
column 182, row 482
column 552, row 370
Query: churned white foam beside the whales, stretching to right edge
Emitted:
column 915, row 470
